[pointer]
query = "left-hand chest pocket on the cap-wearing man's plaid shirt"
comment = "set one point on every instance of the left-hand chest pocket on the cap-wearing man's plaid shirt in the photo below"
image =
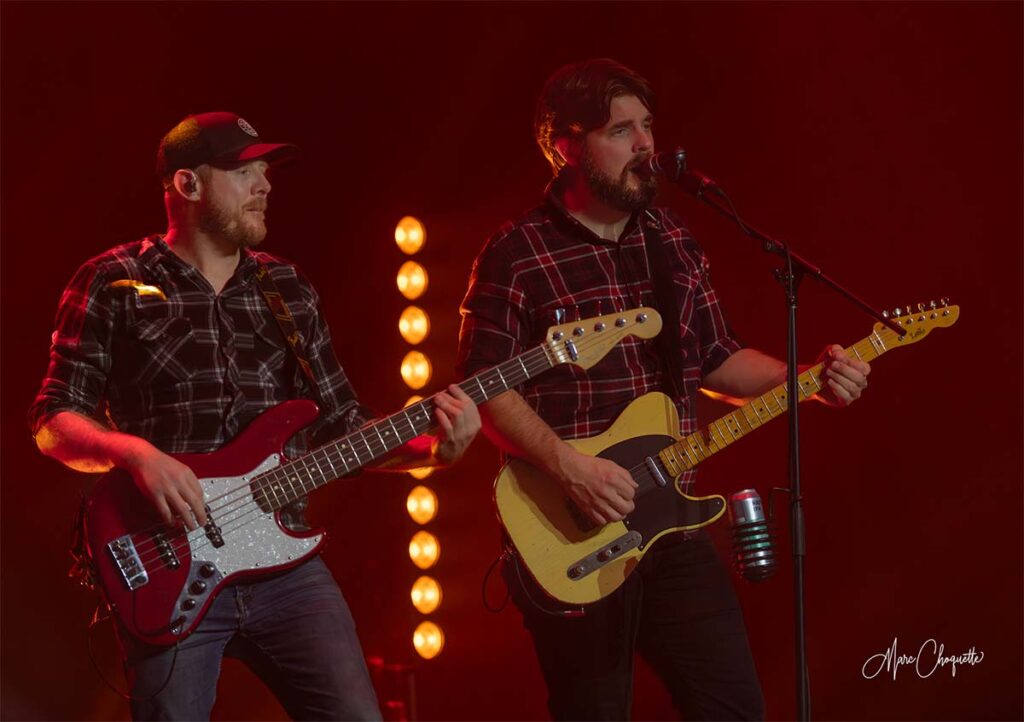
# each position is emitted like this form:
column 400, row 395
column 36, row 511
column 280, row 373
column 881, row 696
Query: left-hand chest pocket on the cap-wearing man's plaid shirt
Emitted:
column 161, row 352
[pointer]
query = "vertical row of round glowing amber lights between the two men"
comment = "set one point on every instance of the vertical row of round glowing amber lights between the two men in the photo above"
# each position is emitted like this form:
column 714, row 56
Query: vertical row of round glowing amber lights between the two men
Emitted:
column 424, row 549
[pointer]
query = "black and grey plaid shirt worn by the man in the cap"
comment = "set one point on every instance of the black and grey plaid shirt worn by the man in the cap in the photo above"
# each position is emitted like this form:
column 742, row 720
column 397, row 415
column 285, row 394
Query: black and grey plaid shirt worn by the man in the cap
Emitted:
column 189, row 369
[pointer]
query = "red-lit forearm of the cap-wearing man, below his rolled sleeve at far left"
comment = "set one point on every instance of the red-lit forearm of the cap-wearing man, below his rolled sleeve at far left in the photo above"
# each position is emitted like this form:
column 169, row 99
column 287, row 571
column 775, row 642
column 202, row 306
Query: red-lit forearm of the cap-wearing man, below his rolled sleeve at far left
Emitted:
column 86, row 445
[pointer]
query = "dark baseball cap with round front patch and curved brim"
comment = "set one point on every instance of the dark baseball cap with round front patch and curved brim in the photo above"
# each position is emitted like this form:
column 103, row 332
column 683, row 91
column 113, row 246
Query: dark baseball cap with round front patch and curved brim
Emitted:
column 218, row 139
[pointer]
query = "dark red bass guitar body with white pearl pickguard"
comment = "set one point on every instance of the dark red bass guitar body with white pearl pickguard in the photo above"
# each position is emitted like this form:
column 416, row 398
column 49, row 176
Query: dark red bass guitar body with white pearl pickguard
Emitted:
column 165, row 609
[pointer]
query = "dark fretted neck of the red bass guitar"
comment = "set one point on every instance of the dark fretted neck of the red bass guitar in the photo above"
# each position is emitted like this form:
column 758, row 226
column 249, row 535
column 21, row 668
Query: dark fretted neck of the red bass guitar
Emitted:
column 294, row 480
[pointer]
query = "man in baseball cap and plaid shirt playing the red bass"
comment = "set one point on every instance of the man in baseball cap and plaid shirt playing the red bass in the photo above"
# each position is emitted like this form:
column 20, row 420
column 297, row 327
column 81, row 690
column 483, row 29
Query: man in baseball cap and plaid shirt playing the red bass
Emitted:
column 168, row 346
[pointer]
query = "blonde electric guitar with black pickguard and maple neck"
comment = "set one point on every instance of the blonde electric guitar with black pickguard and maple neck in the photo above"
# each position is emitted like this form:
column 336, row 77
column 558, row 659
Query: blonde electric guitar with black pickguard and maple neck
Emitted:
column 577, row 562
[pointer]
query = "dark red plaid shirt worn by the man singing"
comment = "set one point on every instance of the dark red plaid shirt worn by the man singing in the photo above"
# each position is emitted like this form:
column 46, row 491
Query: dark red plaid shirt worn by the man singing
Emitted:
column 547, row 269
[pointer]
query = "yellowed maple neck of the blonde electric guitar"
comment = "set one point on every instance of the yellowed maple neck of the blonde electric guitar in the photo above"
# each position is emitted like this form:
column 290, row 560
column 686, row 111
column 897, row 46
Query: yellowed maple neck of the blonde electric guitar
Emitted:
column 691, row 451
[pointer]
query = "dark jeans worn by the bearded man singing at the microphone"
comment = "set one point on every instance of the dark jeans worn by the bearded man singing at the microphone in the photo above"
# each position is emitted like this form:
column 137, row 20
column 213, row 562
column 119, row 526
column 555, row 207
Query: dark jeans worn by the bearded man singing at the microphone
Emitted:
column 678, row 610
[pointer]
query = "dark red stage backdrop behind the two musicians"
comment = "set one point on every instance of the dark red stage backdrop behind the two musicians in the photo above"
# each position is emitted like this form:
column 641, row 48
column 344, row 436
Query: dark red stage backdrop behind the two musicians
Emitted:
column 883, row 141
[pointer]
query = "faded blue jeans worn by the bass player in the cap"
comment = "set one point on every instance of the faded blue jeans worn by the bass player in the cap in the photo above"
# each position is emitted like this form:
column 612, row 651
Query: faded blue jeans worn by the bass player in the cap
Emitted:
column 293, row 630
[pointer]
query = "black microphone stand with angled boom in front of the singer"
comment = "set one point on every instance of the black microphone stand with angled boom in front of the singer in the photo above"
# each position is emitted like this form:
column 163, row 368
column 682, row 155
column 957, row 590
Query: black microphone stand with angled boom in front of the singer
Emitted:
column 793, row 272
